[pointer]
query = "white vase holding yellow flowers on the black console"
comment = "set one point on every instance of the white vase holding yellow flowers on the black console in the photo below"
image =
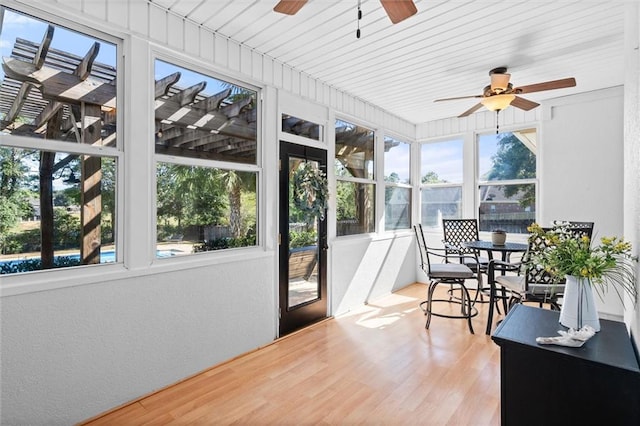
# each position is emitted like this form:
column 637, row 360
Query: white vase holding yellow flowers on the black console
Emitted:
column 578, row 304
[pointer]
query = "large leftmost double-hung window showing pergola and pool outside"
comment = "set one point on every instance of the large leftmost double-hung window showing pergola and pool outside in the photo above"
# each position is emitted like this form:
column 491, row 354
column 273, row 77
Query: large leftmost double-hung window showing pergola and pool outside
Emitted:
column 59, row 153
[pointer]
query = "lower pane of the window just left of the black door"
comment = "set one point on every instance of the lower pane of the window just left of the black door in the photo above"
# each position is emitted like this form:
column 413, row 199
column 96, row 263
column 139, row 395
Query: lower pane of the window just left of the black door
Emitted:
column 201, row 209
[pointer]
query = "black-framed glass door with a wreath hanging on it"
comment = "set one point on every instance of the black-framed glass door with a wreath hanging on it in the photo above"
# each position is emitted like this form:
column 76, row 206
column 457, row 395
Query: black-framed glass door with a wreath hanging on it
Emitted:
column 303, row 237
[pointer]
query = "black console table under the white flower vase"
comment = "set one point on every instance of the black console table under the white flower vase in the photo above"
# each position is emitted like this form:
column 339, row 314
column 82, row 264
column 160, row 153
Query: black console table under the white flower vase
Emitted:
column 597, row 384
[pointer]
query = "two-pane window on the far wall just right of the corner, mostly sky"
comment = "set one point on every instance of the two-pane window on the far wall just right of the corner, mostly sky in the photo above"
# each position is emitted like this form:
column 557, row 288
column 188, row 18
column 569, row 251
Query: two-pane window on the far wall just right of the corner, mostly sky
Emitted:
column 441, row 182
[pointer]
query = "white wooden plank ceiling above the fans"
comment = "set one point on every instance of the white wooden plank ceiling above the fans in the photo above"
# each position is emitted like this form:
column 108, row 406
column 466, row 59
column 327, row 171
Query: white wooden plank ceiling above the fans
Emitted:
column 445, row 50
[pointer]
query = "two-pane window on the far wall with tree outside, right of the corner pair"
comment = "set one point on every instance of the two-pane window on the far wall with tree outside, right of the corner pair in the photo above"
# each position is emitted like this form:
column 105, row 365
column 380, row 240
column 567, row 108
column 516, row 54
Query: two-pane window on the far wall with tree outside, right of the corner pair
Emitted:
column 507, row 180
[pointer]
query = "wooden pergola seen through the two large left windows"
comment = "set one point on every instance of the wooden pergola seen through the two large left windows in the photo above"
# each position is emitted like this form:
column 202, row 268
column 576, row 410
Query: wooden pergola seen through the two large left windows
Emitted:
column 55, row 95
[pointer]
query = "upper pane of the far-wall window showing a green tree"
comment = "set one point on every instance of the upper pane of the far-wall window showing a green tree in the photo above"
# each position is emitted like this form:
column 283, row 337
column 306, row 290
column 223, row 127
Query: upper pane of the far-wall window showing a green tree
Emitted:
column 507, row 156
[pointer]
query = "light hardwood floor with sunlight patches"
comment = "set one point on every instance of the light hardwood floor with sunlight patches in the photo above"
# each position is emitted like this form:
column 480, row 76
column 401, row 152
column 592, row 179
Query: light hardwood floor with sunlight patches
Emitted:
column 375, row 366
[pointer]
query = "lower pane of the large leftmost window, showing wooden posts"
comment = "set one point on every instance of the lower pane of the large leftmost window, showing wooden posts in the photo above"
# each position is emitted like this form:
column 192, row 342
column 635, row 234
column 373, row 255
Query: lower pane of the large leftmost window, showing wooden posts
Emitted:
column 57, row 210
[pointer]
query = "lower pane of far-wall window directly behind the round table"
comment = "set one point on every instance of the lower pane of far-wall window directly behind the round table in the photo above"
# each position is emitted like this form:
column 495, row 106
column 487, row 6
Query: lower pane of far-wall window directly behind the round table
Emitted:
column 507, row 207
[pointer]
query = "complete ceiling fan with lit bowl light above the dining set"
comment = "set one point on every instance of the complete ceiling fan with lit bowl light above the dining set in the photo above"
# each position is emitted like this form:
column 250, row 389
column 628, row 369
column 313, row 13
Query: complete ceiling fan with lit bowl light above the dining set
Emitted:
column 501, row 93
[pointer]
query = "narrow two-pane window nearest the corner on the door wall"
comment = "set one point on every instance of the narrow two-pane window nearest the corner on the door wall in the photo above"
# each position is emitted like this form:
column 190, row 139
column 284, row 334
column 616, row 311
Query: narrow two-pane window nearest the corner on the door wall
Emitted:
column 397, row 178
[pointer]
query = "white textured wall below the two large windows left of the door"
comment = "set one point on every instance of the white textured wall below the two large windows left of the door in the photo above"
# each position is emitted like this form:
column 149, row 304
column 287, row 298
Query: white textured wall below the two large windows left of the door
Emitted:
column 71, row 353
